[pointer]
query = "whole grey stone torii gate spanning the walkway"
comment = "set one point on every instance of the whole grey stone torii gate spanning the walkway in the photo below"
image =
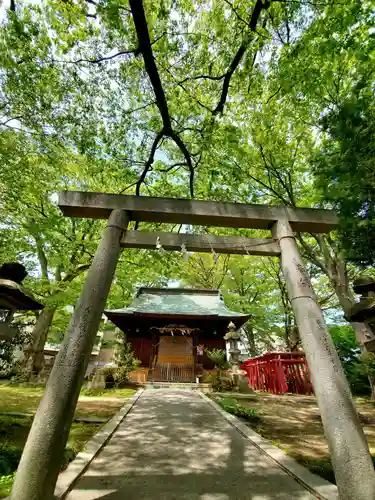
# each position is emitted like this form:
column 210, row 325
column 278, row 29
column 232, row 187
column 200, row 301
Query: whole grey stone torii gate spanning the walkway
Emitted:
column 42, row 455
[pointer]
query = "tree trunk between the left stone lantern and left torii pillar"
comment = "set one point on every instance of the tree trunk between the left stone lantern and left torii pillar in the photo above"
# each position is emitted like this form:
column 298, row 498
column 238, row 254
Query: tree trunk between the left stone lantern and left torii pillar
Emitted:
column 36, row 357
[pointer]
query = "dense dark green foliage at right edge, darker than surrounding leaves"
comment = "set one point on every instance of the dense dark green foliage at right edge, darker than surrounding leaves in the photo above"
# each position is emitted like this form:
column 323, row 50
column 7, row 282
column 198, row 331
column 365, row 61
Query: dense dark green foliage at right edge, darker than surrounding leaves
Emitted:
column 345, row 172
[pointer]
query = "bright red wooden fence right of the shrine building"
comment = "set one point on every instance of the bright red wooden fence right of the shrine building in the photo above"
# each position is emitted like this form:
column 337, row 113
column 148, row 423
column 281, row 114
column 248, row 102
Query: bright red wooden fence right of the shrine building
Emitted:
column 279, row 372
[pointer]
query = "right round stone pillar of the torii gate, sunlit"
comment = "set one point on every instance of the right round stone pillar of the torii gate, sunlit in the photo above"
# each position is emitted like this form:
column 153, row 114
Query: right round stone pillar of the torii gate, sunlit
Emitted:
column 354, row 470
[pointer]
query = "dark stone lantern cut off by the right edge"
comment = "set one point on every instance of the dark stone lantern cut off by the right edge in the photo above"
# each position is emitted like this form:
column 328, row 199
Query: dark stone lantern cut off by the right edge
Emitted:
column 364, row 310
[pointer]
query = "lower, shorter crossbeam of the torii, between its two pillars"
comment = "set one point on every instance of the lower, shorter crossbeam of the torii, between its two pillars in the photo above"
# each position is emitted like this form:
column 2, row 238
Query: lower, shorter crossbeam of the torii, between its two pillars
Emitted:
column 202, row 243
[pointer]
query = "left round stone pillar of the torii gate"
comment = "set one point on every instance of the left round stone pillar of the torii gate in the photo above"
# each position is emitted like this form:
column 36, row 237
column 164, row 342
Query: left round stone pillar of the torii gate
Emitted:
column 41, row 458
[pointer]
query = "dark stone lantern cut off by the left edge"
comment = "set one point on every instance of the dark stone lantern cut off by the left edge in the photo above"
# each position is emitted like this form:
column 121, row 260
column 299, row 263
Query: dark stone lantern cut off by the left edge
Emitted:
column 13, row 297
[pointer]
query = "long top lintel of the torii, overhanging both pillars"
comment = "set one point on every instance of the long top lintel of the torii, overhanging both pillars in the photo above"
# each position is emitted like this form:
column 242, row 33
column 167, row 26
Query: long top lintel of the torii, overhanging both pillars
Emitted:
column 196, row 212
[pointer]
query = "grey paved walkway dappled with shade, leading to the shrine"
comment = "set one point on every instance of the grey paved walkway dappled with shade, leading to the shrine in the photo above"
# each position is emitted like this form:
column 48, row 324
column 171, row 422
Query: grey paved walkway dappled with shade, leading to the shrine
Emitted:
column 175, row 446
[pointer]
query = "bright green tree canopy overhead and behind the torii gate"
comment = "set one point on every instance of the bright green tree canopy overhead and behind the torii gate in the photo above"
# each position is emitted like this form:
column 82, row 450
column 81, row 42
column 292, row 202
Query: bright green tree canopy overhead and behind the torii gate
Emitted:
column 249, row 101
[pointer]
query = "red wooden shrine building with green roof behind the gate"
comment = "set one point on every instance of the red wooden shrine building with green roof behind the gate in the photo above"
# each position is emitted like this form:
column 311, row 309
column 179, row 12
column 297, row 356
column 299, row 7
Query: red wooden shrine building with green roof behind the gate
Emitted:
column 170, row 328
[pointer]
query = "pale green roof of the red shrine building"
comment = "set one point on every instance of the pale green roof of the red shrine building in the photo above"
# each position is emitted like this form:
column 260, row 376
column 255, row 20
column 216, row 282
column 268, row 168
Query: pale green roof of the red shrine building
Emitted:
column 179, row 302
